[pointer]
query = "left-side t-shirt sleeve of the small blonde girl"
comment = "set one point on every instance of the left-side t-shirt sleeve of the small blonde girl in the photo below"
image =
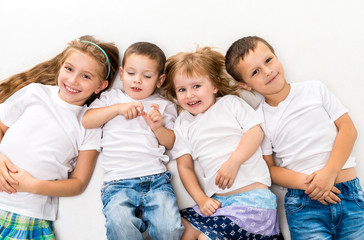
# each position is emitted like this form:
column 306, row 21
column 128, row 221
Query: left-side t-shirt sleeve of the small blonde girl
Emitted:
column 181, row 146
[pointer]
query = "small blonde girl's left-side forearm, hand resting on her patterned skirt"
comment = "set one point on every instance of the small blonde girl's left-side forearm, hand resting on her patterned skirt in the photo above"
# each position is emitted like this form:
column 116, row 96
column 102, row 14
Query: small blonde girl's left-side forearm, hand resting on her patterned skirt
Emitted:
column 186, row 170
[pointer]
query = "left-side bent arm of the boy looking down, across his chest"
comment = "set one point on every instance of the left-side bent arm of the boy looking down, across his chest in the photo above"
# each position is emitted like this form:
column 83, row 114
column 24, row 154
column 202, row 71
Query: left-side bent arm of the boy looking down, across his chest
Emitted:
column 96, row 117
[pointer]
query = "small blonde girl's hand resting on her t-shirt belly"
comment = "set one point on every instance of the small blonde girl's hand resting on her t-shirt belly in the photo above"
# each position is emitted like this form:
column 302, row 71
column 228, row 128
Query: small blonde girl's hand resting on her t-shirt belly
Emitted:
column 226, row 175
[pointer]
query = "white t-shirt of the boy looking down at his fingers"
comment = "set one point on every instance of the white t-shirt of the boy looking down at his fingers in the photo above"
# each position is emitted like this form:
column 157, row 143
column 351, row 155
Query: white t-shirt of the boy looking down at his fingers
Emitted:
column 130, row 148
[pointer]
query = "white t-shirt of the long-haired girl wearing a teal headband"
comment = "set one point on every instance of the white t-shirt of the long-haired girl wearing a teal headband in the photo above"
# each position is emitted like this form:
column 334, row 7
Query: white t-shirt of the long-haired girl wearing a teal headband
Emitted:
column 44, row 137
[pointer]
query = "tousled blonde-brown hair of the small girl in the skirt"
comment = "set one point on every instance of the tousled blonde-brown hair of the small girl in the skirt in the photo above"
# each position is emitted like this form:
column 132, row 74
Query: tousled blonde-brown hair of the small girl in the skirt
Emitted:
column 204, row 61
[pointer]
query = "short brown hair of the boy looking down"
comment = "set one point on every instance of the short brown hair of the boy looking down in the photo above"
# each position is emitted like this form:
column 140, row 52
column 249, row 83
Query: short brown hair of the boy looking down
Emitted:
column 147, row 49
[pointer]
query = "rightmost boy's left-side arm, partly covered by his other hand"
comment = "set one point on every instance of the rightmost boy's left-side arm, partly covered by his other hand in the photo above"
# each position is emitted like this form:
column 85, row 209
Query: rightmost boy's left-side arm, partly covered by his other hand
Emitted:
column 295, row 180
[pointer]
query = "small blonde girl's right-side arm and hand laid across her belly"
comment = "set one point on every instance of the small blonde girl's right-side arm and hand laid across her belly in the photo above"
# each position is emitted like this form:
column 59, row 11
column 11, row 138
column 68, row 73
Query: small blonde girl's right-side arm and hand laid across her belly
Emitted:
column 248, row 145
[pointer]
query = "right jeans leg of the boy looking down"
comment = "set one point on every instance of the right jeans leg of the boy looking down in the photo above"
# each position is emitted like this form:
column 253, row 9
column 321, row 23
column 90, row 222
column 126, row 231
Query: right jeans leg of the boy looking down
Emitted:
column 160, row 208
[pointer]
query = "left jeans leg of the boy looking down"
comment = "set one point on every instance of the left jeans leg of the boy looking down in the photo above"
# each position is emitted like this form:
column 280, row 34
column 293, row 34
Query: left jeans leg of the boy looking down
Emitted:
column 121, row 201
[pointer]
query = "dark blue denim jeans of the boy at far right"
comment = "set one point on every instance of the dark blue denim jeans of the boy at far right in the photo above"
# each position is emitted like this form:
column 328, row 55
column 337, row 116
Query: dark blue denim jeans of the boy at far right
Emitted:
column 309, row 219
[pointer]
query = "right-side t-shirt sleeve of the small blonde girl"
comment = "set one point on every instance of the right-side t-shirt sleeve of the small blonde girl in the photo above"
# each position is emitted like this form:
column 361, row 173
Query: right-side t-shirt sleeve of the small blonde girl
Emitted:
column 244, row 113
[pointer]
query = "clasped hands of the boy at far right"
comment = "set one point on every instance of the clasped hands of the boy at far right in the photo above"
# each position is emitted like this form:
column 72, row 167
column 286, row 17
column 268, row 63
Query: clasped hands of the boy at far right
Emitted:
column 320, row 187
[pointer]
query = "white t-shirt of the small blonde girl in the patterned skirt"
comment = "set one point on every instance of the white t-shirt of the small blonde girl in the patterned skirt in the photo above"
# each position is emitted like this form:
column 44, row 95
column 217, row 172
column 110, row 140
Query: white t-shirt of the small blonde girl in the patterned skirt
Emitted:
column 211, row 137
